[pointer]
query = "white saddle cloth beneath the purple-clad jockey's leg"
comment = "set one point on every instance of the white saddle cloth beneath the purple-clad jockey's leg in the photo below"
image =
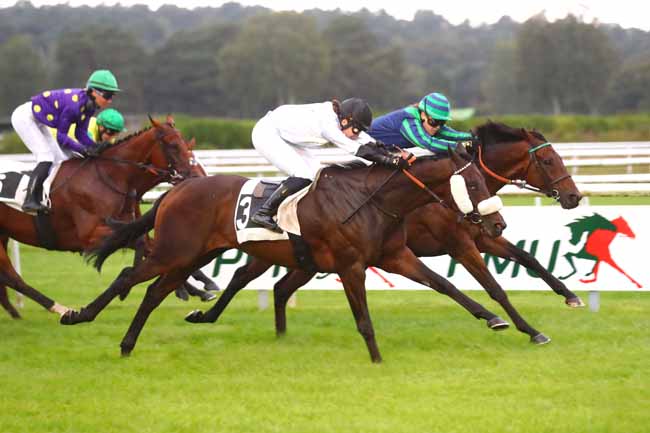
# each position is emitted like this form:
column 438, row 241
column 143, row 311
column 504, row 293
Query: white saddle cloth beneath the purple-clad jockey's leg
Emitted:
column 14, row 177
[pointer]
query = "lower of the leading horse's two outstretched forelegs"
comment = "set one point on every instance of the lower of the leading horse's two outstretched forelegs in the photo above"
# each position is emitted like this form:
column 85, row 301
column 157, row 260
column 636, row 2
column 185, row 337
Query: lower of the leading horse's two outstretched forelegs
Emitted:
column 472, row 261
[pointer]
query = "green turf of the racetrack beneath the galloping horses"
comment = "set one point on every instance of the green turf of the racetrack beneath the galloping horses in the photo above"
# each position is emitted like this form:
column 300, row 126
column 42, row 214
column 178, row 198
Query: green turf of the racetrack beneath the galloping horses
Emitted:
column 443, row 371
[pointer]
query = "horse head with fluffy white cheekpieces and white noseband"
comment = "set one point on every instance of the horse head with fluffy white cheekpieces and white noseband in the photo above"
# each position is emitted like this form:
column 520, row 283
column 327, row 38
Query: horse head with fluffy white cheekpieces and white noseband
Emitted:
column 471, row 196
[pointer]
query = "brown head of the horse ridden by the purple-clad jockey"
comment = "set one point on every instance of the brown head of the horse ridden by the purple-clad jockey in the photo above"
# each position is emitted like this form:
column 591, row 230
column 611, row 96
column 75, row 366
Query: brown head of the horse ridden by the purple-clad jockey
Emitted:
column 173, row 154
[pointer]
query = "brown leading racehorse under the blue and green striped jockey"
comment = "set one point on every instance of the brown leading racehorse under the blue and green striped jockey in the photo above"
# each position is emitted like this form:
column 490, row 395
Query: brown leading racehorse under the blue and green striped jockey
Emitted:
column 434, row 230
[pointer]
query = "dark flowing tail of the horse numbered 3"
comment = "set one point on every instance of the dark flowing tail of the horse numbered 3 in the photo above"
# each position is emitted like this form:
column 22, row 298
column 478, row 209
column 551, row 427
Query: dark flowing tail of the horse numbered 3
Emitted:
column 123, row 235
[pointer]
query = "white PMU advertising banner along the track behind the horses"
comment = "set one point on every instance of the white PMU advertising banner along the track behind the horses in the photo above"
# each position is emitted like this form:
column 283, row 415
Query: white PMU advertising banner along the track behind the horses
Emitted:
column 588, row 248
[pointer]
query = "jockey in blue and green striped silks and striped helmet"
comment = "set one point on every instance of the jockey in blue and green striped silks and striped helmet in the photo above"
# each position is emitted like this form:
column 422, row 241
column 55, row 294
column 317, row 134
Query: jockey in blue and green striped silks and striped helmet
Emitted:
column 421, row 125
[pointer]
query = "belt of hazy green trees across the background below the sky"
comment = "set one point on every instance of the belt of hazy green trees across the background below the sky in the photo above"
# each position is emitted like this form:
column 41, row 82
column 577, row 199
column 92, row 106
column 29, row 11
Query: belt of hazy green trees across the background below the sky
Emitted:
column 237, row 61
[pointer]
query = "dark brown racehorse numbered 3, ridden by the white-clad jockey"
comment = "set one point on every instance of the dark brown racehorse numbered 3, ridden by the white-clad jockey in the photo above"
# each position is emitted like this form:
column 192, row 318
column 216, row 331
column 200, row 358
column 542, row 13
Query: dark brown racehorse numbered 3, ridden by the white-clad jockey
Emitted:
column 374, row 236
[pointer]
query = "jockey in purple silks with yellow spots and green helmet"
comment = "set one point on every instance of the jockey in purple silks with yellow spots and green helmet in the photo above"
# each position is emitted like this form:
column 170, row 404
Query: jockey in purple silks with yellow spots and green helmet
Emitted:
column 59, row 109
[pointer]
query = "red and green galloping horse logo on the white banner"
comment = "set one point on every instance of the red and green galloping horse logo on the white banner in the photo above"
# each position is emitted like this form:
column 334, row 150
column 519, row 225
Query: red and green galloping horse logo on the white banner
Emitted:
column 600, row 234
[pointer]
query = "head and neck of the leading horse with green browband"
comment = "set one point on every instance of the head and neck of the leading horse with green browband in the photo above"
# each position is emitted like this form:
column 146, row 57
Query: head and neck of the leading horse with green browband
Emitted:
column 527, row 159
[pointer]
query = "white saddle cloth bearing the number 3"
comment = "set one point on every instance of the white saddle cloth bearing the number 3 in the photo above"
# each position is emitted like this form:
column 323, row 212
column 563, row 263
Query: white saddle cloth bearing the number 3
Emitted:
column 251, row 197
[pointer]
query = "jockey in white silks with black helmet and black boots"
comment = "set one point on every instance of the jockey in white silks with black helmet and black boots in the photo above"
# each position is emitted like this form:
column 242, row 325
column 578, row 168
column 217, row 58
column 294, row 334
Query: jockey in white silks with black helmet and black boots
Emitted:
column 285, row 135
